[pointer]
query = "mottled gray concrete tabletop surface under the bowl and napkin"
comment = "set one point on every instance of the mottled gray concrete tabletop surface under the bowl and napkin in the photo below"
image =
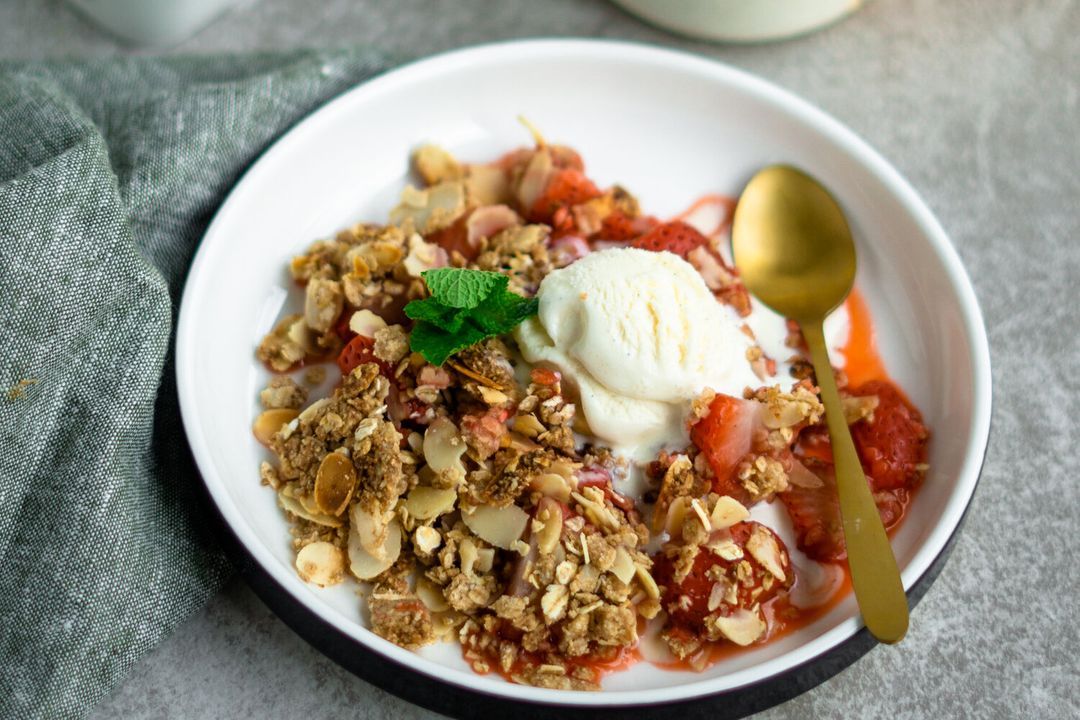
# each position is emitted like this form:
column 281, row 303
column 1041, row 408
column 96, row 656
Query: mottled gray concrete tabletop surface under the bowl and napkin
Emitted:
column 977, row 103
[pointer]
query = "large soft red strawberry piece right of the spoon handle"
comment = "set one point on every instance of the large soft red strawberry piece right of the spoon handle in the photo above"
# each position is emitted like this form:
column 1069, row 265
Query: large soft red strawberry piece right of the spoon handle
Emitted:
column 894, row 444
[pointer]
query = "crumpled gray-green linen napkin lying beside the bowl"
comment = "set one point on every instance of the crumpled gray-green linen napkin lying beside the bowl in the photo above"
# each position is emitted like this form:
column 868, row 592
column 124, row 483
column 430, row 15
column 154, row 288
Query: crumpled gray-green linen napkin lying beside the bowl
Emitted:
column 110, row 172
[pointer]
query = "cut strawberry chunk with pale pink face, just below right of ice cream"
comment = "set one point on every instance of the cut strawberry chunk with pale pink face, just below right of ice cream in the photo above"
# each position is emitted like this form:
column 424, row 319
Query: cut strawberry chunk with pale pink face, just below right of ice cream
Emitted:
column 725, row 437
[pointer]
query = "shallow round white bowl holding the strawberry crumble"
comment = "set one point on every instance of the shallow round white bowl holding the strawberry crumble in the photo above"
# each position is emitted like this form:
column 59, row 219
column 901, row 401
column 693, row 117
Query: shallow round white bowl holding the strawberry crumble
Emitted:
column 666, row 125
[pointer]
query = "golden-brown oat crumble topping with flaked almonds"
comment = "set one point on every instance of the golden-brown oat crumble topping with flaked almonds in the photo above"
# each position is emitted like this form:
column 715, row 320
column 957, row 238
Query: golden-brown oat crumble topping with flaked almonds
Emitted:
column 463, row 495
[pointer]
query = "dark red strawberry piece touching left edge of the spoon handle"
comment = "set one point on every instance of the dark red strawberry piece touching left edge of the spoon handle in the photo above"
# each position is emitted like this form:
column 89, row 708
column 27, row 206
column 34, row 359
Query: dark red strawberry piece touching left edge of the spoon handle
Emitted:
column 816, row 515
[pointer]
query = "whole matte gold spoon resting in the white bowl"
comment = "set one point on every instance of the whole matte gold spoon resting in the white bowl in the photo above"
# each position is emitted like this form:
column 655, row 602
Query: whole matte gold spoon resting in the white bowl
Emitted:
column 794, row 251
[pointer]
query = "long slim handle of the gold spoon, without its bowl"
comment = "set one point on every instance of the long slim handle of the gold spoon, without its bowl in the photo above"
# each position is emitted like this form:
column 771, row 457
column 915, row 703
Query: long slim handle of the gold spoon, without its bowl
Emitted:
column 874, row 574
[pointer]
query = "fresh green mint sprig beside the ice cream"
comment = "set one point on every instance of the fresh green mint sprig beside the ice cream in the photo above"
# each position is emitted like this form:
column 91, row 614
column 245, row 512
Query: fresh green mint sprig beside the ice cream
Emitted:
column 465, row 308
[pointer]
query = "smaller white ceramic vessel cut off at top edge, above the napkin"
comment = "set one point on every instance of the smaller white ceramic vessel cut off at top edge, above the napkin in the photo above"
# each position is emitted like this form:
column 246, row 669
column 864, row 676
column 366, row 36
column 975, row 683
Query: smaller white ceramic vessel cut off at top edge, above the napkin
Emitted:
column 153, row 22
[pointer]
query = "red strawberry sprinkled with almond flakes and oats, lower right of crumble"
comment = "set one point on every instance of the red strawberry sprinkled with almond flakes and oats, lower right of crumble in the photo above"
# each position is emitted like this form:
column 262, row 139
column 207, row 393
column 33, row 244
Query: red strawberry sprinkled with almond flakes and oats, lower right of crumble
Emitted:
column 687, row 601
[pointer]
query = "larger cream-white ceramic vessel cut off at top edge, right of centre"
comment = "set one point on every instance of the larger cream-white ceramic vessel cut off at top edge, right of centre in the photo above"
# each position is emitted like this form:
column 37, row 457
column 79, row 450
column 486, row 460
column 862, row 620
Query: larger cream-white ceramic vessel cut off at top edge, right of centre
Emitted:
column 741, row 21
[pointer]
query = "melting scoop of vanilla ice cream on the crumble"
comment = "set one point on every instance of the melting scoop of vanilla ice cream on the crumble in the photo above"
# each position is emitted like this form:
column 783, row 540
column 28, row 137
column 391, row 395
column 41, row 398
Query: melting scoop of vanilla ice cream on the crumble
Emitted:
column 640, row 336
